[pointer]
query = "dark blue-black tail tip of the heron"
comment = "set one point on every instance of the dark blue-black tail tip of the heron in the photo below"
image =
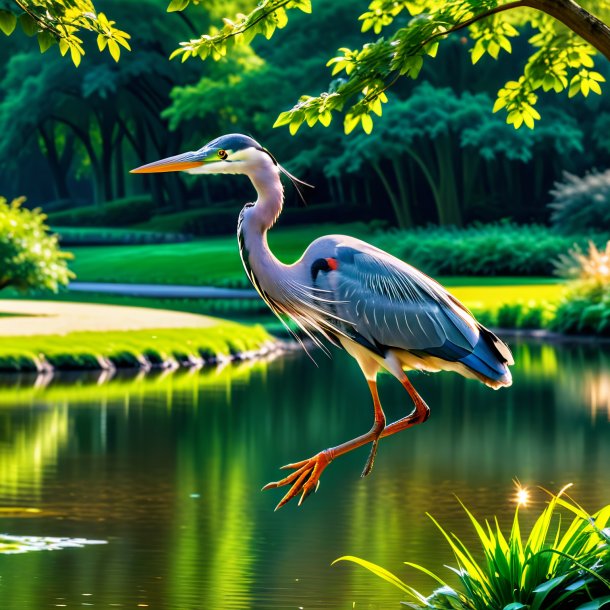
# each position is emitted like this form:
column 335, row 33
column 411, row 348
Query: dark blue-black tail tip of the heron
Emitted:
column 490, row 360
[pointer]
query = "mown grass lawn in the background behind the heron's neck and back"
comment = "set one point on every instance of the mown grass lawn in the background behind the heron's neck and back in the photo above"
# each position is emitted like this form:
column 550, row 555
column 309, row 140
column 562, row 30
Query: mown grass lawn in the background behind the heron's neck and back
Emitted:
column 215, row 261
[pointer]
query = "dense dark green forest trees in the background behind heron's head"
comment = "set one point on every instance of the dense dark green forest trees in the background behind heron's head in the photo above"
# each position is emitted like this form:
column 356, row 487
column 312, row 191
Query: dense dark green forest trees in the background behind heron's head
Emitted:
column 437, row 155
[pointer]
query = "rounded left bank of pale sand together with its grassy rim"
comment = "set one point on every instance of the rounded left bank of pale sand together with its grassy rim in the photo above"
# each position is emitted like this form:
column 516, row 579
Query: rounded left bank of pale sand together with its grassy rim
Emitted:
column 125, row 340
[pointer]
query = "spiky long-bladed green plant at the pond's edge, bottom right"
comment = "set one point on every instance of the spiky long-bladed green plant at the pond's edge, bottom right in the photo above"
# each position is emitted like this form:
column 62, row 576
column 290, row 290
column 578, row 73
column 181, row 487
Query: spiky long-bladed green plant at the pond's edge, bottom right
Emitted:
column 554, row 567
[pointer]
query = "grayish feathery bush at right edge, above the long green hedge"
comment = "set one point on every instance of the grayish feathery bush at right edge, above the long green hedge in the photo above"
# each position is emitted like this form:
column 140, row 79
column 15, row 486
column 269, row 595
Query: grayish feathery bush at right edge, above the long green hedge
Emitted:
column 582, row 203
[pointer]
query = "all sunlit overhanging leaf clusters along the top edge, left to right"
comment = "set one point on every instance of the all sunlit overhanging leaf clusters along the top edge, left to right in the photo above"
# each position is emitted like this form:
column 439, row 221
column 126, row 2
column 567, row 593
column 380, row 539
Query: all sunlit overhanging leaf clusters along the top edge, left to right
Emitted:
column 408, row 33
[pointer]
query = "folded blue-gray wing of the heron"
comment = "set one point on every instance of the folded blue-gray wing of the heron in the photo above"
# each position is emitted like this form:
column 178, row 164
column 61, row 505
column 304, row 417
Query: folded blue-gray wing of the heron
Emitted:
column 391, row 304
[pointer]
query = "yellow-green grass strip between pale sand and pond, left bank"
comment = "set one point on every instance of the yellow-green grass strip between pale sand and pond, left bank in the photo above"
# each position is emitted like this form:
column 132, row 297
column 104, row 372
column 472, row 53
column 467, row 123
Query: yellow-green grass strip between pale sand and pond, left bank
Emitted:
column 128, row 349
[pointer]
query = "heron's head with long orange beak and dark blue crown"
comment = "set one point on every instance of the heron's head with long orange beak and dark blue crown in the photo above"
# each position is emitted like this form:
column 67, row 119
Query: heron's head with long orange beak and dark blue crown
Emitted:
column 230, row 154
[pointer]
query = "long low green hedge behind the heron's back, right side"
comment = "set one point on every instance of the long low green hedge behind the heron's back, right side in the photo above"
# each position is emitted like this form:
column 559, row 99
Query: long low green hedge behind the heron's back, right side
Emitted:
column 481, row 250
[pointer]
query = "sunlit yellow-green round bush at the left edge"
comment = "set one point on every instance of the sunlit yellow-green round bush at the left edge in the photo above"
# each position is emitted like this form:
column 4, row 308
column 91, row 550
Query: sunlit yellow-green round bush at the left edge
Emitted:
column 30, row 257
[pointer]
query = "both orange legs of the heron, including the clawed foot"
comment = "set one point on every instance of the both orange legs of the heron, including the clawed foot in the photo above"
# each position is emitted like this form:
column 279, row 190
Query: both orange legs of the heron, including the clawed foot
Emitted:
column 306, row 476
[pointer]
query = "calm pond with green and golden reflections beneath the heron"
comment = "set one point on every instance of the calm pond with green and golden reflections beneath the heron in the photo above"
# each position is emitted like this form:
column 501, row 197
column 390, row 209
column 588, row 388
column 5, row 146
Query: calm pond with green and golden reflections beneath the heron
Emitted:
column 167, row 469
